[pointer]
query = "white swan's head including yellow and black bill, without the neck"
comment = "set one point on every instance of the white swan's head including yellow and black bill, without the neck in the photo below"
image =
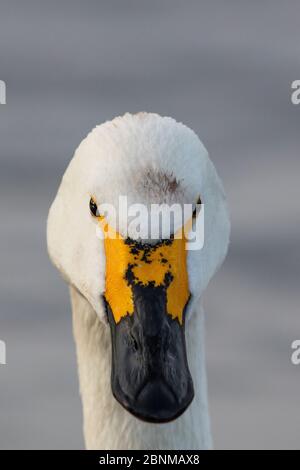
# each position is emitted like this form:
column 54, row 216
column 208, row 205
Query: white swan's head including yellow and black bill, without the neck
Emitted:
column 145, row 287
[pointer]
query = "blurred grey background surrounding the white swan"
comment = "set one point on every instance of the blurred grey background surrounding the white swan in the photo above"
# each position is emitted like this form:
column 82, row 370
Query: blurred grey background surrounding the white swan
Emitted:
column 223, row 68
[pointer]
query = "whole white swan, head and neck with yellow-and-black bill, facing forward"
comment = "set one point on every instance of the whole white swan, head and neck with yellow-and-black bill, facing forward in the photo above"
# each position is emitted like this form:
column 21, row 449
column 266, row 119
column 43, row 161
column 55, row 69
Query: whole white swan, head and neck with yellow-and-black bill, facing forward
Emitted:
column 138, row 320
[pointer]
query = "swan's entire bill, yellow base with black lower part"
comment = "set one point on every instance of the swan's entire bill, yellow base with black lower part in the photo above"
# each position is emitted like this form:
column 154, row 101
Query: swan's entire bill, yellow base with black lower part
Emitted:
column 146, row 298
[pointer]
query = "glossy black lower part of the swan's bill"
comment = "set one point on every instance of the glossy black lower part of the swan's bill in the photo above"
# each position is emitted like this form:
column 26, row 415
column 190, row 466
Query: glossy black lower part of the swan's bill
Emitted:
column 150, row 376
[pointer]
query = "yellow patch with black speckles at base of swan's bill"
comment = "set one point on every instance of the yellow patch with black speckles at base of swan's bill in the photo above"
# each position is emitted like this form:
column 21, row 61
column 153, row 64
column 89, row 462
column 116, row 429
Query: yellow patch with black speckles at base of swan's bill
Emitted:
column 129, row 262
